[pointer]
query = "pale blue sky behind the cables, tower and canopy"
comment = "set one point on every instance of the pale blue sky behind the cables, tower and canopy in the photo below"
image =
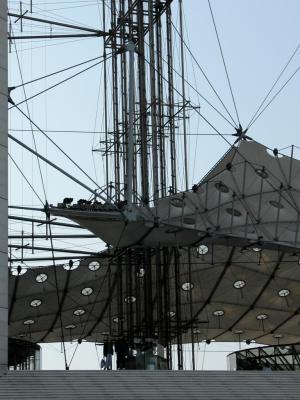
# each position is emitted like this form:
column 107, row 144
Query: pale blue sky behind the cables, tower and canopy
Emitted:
column 258, row 38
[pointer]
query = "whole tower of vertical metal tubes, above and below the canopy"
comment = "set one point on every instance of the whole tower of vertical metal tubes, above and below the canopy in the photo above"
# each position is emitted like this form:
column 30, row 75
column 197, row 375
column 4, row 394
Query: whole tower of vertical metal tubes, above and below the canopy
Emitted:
column 141, row 142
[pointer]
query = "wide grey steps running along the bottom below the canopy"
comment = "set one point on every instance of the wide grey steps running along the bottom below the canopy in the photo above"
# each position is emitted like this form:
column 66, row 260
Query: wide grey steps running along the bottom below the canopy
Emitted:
column 146, row 385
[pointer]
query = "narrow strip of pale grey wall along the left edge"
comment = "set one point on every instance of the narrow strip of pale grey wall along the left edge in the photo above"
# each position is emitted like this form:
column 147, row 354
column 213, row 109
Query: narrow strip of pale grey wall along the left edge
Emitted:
column 3, row 186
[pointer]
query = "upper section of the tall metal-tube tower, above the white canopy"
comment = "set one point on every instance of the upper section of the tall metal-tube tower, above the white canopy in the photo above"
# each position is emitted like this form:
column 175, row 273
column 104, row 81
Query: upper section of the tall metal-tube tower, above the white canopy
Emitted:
column 140, row 22
